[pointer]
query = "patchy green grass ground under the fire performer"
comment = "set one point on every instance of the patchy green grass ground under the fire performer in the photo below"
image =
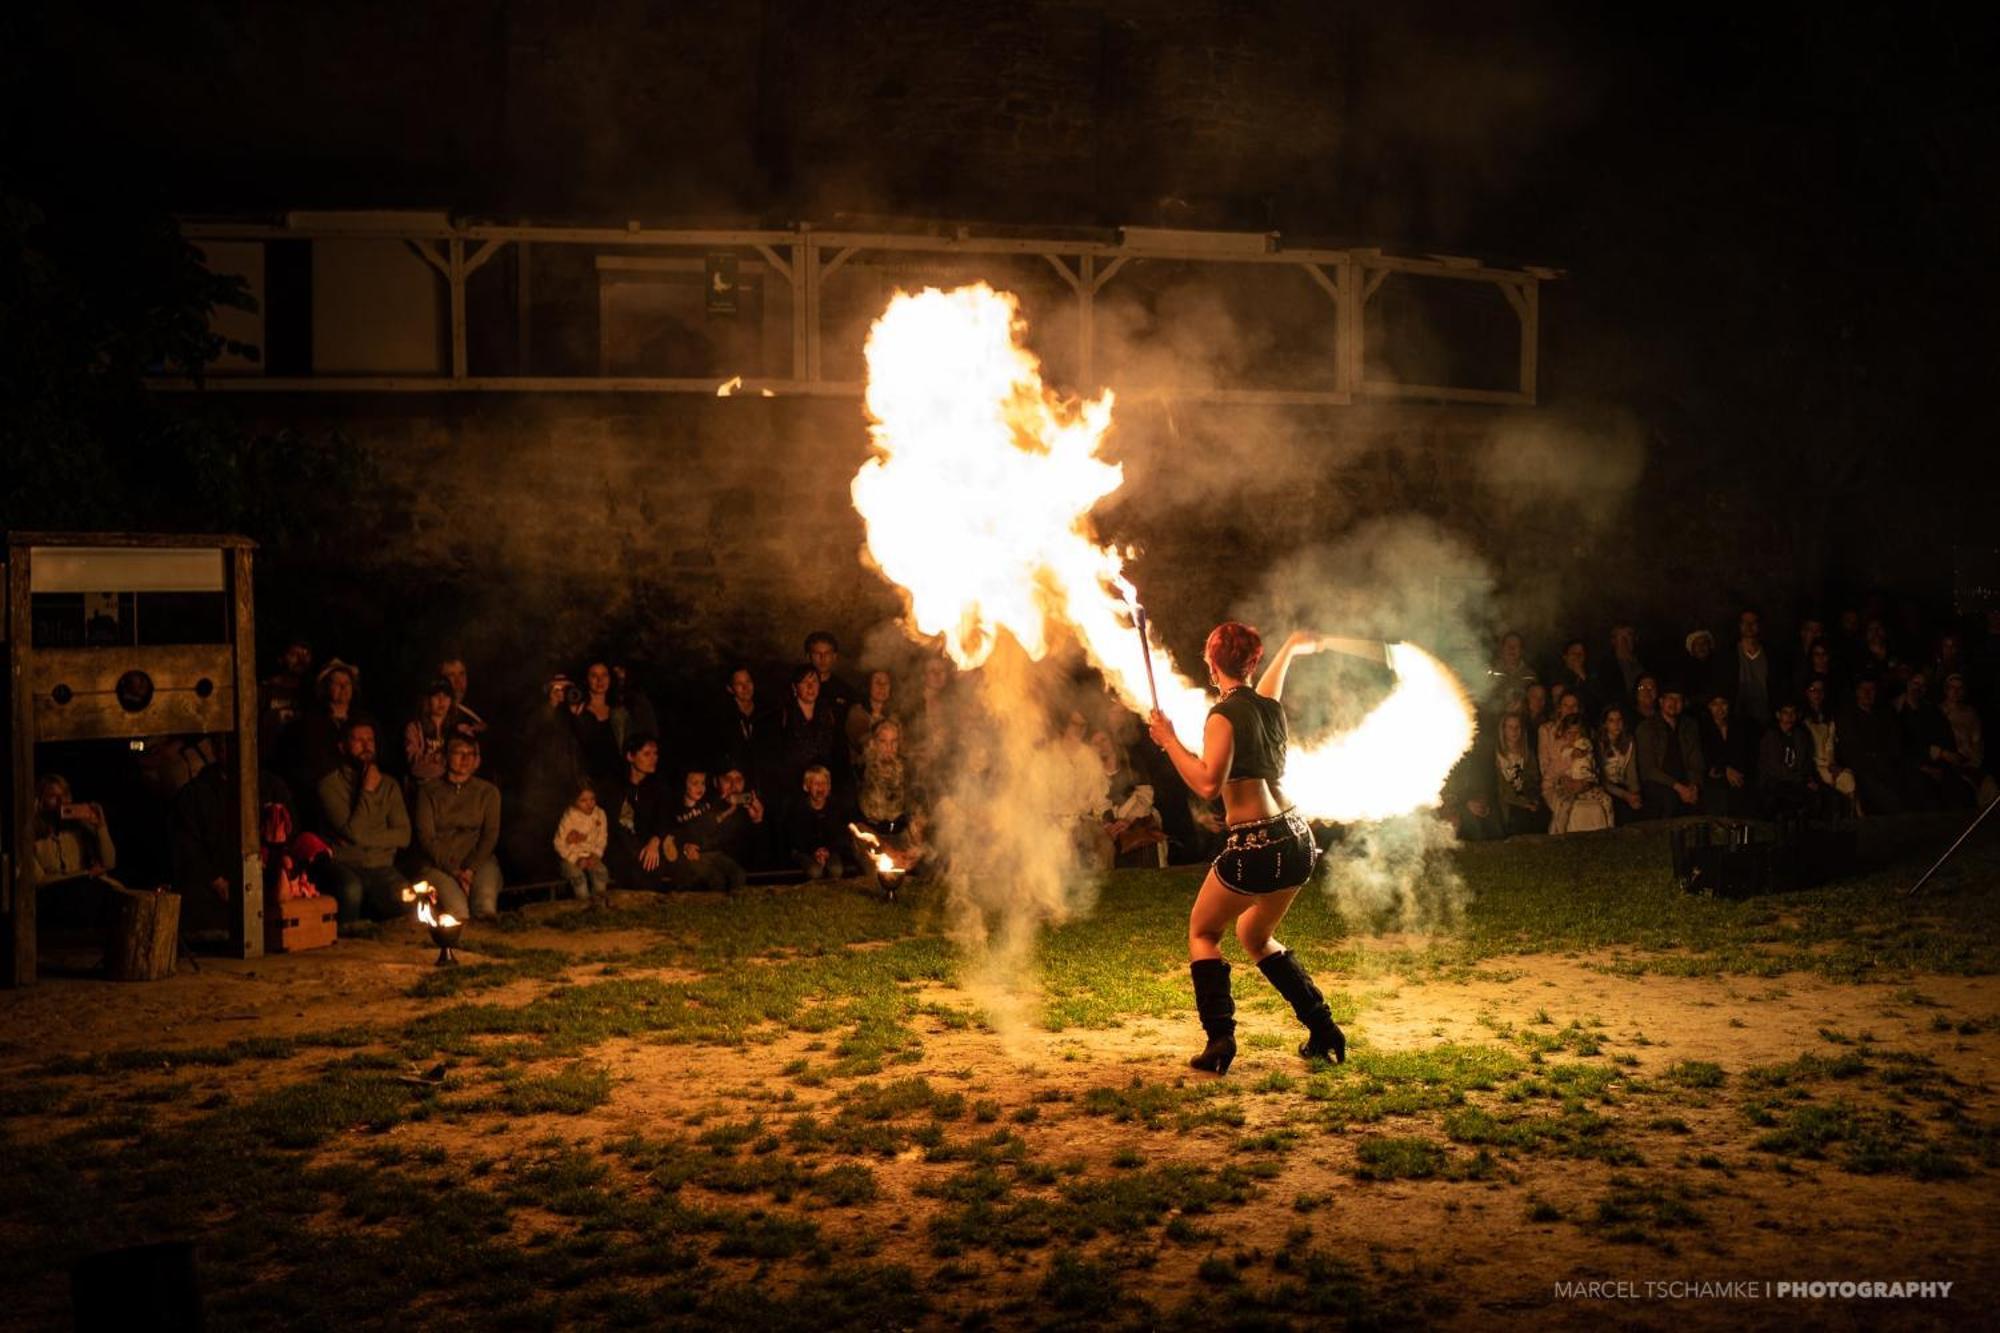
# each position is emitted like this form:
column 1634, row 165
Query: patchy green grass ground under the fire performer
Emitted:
column 519, row 1154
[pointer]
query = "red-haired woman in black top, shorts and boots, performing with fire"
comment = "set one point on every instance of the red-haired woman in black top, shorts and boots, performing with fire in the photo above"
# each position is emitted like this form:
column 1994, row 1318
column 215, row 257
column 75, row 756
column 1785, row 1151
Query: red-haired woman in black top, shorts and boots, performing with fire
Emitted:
column 1269, row 852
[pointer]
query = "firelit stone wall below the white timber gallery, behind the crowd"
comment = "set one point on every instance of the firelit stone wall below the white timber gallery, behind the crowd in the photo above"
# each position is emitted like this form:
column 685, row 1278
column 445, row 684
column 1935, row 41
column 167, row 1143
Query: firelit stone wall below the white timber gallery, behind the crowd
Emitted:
column 533, row 529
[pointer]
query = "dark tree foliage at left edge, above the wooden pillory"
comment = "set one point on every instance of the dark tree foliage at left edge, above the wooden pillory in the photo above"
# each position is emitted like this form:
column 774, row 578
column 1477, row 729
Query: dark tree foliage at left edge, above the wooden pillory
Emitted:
column 95, row 301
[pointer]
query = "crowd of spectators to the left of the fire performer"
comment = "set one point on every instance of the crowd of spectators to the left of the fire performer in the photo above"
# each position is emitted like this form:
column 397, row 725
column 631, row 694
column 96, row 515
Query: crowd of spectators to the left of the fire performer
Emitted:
column 597, row 790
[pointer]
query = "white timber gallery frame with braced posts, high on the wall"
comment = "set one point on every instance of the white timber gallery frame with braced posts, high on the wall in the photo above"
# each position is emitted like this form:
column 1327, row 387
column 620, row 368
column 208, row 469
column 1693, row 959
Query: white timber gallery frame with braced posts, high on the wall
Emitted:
column 807, row 257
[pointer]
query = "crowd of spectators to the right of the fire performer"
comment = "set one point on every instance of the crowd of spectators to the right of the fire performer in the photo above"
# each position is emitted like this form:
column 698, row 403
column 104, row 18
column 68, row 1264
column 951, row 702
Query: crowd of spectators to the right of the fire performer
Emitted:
column 1839, row 722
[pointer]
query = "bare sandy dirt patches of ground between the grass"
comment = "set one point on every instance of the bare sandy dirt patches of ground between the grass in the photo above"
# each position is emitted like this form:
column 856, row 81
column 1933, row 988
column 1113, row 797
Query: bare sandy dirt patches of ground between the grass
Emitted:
column 1473, row 1242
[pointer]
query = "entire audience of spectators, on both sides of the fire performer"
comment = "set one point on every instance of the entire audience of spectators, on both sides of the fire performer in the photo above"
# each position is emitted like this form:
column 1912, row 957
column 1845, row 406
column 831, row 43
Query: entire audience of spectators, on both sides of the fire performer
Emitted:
column 601, row 790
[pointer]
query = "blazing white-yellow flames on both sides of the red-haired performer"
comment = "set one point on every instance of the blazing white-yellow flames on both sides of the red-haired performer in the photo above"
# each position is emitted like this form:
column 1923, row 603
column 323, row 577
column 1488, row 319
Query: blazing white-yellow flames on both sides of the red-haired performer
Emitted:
column 979, row 507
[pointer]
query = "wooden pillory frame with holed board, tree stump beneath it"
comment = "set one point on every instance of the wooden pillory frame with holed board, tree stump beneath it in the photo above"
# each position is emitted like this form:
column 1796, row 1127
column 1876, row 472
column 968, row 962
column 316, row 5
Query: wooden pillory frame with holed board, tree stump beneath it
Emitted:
column 61, row 688
